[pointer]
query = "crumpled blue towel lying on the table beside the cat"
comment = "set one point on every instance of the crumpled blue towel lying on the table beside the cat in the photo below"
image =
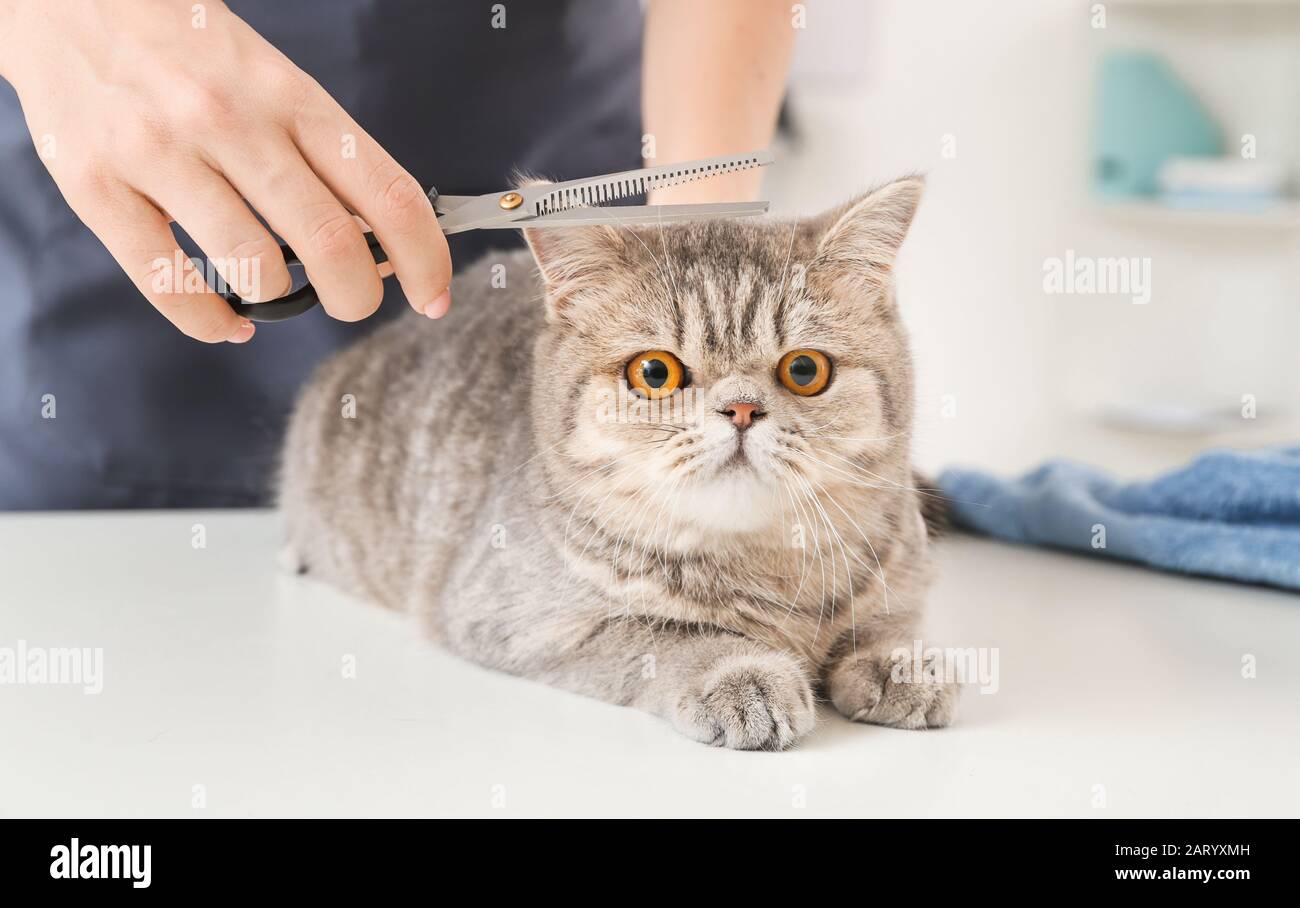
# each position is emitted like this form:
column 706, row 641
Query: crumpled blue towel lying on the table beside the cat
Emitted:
column 1228, row 514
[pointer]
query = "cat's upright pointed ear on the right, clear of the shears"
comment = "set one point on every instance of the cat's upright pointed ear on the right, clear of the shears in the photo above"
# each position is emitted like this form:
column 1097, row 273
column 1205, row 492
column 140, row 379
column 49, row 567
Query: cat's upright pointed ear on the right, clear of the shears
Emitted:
column 863, row 237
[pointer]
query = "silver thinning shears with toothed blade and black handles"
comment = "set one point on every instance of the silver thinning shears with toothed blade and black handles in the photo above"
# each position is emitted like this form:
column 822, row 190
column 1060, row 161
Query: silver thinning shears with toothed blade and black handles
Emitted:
column 571, row 204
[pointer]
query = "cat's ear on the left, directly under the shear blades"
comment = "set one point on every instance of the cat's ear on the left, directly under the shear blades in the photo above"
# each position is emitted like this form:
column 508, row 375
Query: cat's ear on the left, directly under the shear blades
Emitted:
column 575, row 261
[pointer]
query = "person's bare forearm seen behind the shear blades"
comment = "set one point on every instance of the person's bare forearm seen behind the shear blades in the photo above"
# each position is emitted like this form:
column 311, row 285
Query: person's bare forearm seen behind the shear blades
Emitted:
column 714, row 76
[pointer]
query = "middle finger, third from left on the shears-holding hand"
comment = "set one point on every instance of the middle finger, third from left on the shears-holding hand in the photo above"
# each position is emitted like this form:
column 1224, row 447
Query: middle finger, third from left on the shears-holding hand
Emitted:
column 324, row 235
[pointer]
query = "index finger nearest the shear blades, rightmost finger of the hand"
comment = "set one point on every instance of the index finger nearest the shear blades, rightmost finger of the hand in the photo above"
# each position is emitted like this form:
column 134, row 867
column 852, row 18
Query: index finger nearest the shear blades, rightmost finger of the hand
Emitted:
column 391, row 200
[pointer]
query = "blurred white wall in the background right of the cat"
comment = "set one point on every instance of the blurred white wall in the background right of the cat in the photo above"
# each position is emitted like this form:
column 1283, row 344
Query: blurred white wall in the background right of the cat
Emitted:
column 879, row 87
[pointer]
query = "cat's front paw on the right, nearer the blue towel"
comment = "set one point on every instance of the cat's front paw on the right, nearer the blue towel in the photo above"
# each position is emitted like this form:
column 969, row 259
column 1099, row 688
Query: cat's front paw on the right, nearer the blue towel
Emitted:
column 885, row 691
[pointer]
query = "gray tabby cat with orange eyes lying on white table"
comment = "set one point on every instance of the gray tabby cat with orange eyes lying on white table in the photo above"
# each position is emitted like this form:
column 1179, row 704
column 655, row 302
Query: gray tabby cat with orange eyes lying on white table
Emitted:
column 668, row 468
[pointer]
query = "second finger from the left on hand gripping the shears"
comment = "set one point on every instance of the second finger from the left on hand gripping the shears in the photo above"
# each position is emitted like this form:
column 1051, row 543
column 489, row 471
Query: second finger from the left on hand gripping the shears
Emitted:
column 236, row 243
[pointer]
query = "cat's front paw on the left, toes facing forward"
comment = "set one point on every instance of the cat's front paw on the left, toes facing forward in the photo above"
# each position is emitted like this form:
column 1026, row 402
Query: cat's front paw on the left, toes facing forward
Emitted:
column 749, row 702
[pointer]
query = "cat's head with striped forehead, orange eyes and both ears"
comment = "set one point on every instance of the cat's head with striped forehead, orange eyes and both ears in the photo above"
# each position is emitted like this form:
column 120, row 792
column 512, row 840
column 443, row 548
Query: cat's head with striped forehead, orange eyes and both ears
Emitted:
column 717, row 375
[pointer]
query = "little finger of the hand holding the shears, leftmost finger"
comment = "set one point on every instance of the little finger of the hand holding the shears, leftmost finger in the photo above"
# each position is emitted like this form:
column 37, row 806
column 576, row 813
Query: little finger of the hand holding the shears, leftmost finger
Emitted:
column 140, row 239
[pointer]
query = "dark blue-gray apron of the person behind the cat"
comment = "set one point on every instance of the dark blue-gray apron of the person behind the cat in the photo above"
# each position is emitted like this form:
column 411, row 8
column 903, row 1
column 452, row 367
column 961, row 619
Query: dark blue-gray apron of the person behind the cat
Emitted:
column 148, row 418
